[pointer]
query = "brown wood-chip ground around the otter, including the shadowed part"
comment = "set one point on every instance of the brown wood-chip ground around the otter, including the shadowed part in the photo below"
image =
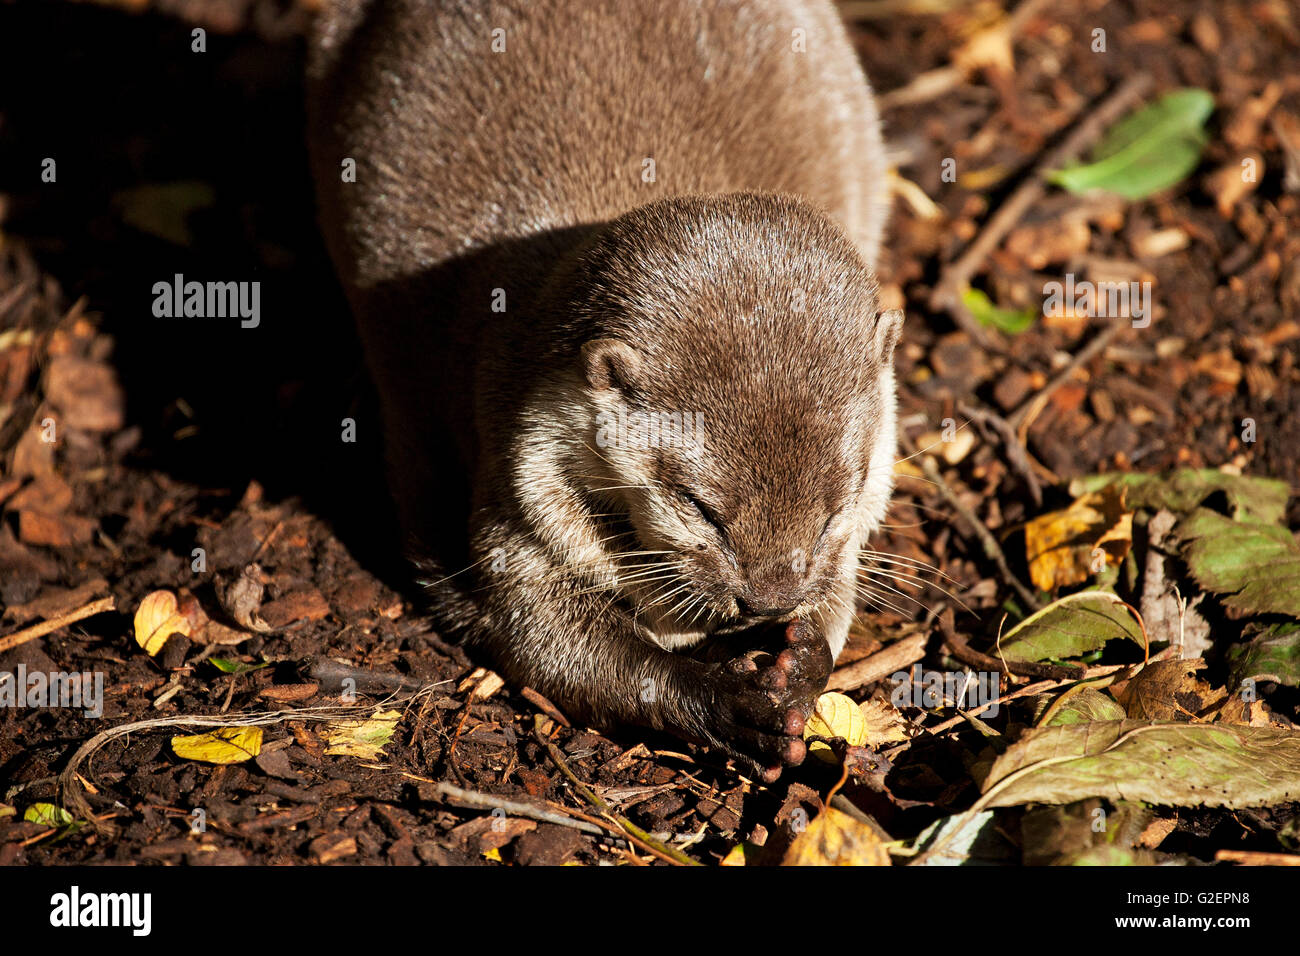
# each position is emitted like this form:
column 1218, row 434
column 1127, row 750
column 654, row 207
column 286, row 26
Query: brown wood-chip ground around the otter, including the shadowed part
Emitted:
column 177, row 436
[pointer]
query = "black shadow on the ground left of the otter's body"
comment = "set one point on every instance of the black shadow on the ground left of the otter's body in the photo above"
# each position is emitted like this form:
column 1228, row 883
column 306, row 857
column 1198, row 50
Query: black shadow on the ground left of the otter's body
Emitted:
column 122, row 103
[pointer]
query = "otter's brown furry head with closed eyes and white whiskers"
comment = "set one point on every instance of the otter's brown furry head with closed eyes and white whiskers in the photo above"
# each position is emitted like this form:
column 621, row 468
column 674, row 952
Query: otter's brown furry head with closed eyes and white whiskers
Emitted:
column 740, row 405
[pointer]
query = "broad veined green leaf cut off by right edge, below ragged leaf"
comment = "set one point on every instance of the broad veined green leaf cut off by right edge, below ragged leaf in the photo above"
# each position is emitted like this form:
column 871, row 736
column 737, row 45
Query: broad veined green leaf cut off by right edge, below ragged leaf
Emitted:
column 1253, row 568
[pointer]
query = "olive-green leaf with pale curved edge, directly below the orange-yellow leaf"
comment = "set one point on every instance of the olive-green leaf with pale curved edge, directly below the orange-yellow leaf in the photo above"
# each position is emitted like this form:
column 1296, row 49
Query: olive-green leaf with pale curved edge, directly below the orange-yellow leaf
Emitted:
column 1073, row 626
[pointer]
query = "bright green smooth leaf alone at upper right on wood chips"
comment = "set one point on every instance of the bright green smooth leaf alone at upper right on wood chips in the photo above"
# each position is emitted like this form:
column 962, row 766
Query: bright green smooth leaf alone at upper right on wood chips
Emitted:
column 1149, row 152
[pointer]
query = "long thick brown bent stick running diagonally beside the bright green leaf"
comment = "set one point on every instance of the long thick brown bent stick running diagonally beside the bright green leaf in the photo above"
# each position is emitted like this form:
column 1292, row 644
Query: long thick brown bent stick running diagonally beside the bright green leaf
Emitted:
column 957, row 275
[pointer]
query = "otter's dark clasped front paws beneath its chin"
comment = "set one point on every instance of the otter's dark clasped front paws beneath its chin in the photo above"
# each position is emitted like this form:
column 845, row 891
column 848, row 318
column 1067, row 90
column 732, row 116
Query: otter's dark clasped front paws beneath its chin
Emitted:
column 762, row 702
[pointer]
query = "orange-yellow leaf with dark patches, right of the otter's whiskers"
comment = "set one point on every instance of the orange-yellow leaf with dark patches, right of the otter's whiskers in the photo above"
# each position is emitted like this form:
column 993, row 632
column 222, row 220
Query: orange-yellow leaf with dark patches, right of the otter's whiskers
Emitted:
column 1071, row 547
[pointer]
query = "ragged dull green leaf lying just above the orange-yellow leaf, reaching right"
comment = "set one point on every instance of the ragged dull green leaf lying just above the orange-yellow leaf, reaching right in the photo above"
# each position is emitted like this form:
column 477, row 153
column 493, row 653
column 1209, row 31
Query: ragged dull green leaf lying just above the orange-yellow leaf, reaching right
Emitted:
column 1251, row 499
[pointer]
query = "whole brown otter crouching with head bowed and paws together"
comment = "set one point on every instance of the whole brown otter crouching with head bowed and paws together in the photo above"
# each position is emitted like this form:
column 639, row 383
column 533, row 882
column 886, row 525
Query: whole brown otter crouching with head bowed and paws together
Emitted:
column 613, row 270
